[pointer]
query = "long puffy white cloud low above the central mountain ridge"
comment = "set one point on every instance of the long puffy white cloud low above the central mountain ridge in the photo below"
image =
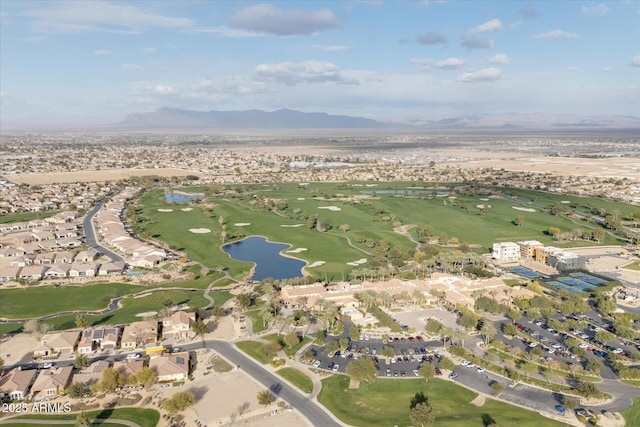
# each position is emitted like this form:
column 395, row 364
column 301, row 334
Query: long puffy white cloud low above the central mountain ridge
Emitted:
column 292, row 73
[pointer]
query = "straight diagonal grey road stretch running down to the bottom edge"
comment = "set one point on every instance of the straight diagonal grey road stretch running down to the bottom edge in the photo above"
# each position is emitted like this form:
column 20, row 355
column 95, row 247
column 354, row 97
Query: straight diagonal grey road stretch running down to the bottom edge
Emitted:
column 310, row 409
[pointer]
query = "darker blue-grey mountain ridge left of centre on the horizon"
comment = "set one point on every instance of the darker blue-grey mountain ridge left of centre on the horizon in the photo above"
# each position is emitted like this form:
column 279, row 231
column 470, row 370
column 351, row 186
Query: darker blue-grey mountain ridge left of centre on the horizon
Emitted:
column 172, row 118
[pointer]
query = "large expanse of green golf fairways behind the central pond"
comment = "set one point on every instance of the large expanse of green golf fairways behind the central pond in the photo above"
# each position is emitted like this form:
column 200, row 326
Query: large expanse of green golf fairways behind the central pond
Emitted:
column 369, row 209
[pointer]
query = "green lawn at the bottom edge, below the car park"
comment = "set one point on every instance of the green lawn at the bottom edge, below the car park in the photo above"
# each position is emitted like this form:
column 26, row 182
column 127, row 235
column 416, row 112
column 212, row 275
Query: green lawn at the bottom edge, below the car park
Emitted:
column 371, row 404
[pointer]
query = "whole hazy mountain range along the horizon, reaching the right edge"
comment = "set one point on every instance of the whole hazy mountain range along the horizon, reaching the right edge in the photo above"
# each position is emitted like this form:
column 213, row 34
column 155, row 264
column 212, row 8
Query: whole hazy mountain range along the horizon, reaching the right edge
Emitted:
column 173, row 118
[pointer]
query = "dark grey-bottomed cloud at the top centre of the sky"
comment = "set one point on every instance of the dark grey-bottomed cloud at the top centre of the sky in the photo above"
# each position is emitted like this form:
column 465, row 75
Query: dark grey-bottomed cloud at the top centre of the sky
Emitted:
column 266, row 19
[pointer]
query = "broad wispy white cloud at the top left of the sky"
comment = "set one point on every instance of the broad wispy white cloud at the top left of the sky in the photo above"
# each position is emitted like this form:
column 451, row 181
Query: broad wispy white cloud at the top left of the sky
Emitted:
column 86, row 16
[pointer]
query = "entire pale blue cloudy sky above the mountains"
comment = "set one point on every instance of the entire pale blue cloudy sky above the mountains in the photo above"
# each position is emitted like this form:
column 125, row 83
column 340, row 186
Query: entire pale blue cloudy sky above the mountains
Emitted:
column 100, row 60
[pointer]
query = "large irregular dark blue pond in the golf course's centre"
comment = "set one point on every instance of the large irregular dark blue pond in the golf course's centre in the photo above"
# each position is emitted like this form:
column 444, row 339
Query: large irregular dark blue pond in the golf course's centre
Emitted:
column 266, row 256
